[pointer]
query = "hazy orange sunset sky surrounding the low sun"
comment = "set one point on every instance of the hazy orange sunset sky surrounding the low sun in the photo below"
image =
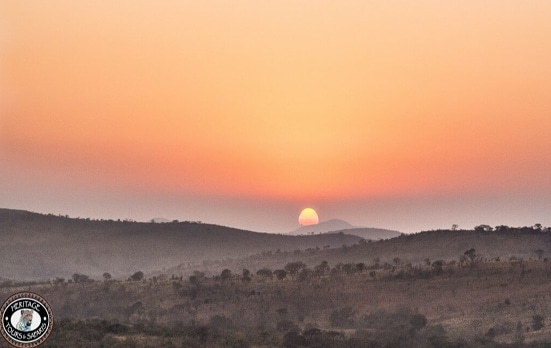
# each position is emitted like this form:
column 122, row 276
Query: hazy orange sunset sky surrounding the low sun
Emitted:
column 408, row 115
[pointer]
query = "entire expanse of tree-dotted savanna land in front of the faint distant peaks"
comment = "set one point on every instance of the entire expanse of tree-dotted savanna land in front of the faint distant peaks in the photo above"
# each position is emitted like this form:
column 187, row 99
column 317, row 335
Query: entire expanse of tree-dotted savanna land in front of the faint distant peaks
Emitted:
column 486, row 287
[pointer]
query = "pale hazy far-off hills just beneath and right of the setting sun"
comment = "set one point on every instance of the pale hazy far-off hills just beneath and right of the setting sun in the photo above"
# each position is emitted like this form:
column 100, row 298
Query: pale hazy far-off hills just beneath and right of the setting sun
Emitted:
column 336, row 225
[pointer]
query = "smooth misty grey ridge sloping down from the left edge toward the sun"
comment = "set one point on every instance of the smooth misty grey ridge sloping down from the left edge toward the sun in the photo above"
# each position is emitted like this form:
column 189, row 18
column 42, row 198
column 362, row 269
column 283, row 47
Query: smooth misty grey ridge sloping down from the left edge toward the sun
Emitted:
column 36, row 246
